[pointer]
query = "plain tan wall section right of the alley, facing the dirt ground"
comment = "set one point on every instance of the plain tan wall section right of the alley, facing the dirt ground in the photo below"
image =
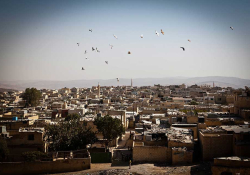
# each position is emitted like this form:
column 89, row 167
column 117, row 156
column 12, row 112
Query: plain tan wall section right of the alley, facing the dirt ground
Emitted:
column 152, row 154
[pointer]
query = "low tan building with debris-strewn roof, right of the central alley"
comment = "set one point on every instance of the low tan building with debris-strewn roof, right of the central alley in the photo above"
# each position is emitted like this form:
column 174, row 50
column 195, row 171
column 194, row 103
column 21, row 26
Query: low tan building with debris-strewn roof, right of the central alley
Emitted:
column 159, row 145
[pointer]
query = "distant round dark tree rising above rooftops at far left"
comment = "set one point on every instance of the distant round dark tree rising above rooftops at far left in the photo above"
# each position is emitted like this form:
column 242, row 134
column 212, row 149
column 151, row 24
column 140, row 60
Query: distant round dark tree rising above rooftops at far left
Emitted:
column 32, row 97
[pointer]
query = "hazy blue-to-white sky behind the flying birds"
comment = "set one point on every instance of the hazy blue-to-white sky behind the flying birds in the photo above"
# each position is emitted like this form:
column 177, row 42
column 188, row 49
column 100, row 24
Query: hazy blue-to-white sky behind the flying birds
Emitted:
column 38, row 39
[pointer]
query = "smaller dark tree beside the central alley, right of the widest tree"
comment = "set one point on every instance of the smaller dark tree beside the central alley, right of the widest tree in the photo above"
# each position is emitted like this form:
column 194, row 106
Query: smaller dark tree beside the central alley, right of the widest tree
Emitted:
column 111, row 128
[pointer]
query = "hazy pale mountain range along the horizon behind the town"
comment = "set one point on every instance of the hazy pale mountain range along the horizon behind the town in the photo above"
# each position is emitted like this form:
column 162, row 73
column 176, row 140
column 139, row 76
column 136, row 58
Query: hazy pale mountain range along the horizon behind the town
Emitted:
column 218, row 81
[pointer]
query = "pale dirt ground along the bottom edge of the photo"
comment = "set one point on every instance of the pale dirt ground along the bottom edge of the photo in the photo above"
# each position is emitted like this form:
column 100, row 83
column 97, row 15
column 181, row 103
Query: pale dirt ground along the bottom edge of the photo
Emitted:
column 139, row 169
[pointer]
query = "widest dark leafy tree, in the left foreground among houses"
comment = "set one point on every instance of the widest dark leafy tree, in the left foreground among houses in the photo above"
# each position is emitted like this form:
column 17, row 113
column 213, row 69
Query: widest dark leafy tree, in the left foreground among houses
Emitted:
column 69, row 135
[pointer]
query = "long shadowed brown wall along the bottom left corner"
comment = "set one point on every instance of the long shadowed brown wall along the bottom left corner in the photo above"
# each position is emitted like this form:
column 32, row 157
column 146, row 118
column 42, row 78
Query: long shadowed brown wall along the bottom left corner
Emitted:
column 7, row 168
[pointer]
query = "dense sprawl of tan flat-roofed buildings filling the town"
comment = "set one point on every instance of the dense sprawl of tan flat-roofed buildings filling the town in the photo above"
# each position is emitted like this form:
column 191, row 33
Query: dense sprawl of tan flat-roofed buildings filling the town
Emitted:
column 161, row 122
